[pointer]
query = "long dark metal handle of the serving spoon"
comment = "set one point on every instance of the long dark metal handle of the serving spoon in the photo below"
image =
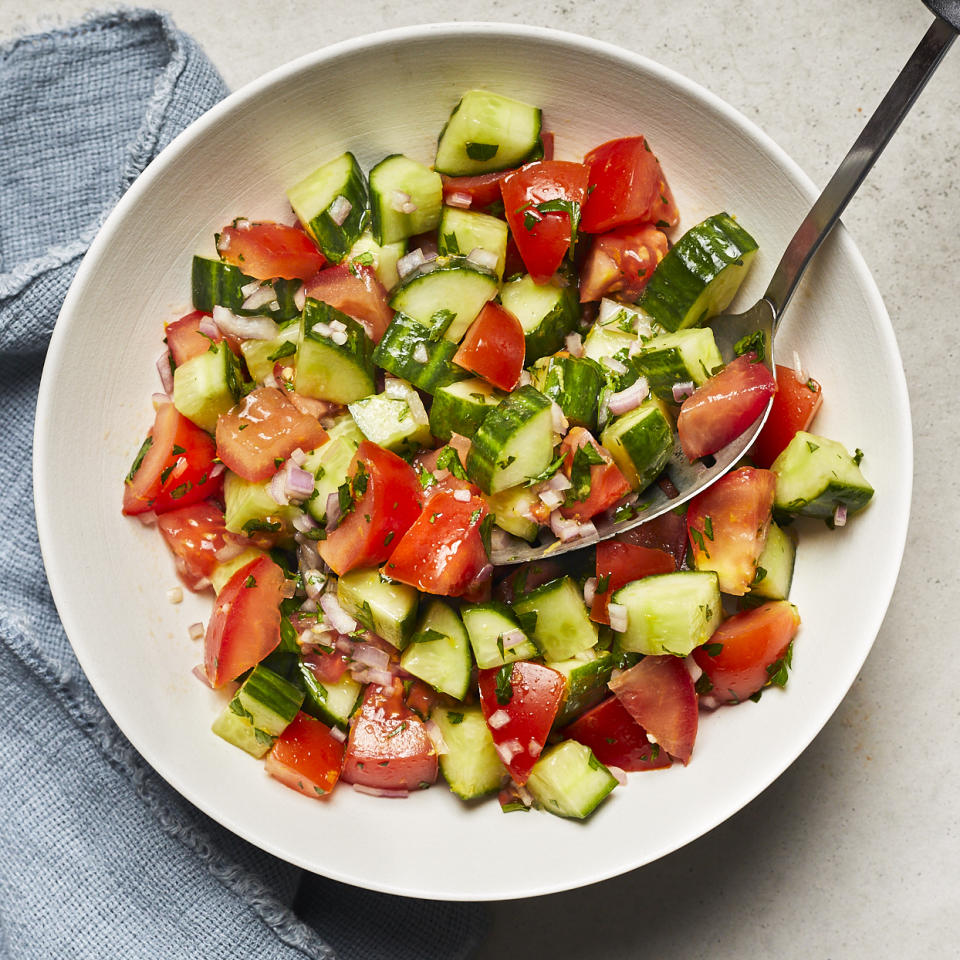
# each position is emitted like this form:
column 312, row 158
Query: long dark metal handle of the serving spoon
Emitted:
column 857, row 163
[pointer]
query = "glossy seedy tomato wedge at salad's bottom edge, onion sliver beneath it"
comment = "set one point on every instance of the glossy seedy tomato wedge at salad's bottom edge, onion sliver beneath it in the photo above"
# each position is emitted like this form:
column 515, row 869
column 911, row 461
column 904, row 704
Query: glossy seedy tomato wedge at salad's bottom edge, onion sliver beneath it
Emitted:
column 388, row 747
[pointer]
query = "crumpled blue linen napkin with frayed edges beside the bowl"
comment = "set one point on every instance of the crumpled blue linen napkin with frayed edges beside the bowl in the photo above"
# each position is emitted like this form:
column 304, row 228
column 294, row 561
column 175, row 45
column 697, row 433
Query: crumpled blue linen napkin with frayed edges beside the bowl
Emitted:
column 99, row 857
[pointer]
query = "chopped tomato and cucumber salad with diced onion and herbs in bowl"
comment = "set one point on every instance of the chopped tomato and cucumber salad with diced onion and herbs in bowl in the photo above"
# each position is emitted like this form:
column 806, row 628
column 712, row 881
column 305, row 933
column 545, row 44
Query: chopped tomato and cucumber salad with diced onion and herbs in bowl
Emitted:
column 428, row 358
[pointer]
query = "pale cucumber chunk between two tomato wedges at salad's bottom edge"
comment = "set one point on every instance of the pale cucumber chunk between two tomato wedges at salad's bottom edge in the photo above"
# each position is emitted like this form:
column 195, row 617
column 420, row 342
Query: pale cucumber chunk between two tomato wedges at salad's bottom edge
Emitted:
column 470, row 766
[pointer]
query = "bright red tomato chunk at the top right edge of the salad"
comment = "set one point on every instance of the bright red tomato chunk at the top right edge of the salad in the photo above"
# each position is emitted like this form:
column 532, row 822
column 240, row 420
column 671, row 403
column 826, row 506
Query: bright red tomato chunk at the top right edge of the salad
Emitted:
column 628, row 187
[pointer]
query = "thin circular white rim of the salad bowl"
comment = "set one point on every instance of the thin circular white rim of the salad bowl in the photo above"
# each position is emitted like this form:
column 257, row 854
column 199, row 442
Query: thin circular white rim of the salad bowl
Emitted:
column 44, row 451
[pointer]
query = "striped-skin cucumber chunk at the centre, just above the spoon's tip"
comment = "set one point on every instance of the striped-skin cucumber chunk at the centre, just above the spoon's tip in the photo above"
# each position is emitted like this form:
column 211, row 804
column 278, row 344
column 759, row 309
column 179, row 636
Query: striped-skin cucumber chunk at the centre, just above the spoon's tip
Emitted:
column 513, row 443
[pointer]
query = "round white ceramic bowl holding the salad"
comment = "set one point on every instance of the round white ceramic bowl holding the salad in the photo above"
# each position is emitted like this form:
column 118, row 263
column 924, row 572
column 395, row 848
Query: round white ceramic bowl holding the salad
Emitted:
column 109, row 575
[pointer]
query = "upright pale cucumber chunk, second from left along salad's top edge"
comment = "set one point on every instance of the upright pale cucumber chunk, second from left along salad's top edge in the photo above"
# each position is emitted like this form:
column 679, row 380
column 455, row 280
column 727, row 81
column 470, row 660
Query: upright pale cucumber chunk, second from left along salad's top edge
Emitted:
column 405, row 198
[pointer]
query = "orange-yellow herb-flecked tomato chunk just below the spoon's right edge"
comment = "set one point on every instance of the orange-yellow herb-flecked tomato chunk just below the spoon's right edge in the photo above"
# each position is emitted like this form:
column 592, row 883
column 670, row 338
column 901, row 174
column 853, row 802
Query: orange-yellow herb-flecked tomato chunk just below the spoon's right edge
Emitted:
column 728, row 523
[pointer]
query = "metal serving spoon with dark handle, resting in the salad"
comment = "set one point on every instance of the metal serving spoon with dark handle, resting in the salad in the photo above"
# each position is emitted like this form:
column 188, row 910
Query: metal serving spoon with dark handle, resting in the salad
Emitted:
column 681, row 479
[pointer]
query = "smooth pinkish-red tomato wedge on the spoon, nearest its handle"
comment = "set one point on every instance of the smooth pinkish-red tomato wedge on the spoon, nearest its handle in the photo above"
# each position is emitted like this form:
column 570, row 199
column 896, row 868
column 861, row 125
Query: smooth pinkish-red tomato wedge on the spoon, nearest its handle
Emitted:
column 723, row 407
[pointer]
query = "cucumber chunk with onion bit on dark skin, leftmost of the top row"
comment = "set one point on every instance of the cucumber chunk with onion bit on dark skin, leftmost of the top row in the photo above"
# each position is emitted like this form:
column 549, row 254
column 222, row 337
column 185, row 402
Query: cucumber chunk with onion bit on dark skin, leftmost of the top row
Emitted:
column 340, row 180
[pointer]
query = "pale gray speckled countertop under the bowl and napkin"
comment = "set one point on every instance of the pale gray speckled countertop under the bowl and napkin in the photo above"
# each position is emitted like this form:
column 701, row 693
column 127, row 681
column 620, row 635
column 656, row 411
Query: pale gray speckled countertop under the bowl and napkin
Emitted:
column 855, row 851
